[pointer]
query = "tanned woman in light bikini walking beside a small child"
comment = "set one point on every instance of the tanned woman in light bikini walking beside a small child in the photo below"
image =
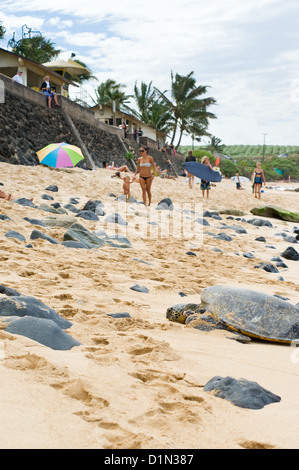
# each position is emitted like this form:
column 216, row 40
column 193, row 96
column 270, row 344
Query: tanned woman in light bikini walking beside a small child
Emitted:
column 144, row 165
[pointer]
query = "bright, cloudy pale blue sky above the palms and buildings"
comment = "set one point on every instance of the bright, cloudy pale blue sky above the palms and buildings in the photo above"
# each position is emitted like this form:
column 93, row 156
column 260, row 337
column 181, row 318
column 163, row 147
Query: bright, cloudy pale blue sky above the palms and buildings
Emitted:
column 246, row 53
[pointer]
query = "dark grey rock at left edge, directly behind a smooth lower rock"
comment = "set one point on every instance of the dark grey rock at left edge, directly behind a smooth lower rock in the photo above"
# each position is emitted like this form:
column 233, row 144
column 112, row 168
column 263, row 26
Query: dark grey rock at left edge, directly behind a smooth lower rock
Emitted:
column 22, row 305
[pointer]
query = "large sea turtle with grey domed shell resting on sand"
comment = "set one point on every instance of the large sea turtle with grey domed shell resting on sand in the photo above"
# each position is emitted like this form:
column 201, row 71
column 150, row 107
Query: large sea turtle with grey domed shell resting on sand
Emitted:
column 249, row 312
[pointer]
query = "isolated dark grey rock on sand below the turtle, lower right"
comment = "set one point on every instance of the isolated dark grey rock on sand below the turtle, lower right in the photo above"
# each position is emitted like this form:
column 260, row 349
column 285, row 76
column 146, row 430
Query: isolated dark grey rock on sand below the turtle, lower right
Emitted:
column 242, row 393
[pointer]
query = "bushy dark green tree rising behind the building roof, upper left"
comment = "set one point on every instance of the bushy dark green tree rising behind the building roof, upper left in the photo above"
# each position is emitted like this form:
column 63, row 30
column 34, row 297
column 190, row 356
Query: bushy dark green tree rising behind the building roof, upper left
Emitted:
column 36, row 48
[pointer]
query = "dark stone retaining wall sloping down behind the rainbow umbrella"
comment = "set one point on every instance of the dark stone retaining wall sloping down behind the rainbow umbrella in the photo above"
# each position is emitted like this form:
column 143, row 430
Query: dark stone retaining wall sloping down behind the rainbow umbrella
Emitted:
column 27, row 125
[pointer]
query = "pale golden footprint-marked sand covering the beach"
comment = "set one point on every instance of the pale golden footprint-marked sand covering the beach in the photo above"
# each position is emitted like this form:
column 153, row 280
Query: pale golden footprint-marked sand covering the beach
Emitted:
column 138, row 383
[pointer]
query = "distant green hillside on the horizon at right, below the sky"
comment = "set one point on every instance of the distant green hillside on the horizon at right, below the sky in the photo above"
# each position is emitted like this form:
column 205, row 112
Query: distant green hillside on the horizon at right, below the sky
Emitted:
column 252, row 151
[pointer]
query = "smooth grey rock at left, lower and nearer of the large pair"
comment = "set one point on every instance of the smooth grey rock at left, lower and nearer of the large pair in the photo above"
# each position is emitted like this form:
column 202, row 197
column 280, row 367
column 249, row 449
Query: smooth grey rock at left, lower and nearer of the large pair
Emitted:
column 43, row 331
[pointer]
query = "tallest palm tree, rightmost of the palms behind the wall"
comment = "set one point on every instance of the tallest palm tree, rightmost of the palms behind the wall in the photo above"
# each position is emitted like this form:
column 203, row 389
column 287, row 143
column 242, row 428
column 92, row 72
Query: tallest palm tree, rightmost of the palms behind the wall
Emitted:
column 187, row 105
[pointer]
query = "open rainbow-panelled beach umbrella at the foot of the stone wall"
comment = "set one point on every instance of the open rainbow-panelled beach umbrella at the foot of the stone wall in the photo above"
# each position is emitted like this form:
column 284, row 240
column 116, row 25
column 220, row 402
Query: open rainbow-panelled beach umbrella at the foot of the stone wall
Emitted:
column 60, row 155
